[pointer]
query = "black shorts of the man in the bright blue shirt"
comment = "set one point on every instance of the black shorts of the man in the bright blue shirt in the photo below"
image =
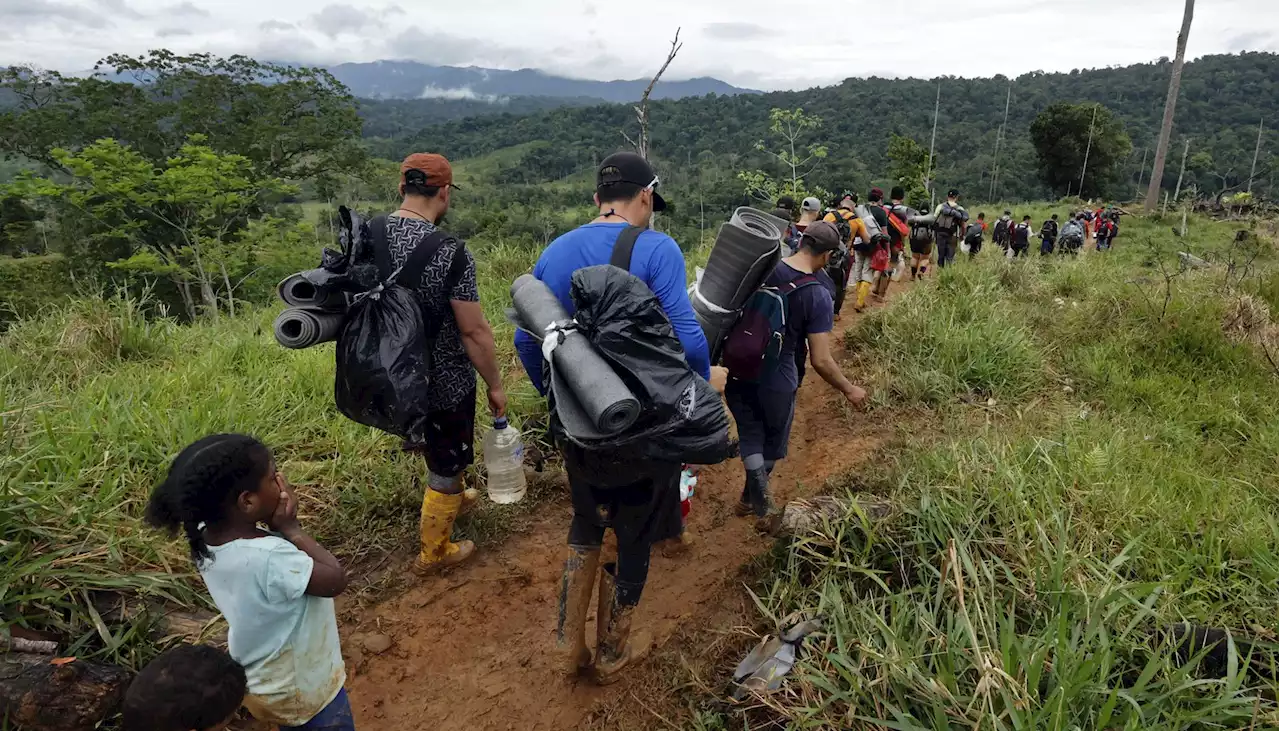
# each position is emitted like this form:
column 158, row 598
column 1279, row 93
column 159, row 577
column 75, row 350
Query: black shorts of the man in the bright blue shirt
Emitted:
column 642, row 511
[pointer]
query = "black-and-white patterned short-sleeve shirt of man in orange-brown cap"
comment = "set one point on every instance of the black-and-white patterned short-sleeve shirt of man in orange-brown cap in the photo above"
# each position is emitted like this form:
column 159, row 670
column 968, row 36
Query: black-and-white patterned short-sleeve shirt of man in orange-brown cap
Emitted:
column 454, row 378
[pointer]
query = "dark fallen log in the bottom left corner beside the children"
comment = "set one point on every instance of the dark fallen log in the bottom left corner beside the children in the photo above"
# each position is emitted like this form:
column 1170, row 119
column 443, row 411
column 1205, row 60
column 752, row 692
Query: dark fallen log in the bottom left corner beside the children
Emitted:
column 39, row 696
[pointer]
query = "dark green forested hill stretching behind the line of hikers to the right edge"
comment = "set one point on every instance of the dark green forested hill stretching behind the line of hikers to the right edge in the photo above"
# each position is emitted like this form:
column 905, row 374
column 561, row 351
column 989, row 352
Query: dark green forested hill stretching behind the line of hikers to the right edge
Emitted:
column 1223, row 100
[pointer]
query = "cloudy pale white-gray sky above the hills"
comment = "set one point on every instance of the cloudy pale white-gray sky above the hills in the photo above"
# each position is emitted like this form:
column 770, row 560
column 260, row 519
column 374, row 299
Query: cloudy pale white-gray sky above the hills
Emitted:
column 748, row 43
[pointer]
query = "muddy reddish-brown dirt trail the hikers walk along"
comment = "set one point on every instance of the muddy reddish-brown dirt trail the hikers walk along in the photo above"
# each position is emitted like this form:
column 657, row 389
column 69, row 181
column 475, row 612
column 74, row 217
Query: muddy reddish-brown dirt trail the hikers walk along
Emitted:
column 474, row 650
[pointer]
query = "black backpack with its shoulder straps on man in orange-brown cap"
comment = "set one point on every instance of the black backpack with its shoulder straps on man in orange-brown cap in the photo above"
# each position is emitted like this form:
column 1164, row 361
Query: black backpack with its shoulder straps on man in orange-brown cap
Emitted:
column 383, row 357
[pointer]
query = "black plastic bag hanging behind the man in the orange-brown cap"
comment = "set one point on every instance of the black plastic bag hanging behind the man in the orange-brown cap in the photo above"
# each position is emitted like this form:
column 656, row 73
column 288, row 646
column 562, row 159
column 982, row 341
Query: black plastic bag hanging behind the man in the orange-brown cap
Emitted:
column 383, row 368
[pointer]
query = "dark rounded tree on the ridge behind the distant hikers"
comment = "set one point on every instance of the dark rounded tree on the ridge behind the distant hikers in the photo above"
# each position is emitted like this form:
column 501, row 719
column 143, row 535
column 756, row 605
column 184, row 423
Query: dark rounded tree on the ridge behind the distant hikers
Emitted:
column 1066, row 135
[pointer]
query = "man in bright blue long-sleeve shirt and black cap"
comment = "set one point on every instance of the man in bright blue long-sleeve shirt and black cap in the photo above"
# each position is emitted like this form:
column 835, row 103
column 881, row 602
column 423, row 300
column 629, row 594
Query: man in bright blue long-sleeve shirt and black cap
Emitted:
column 639, row 501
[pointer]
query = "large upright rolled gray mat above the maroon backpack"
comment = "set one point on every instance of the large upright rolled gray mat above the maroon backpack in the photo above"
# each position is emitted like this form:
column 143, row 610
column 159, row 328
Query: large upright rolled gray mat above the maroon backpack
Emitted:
column 746, row 253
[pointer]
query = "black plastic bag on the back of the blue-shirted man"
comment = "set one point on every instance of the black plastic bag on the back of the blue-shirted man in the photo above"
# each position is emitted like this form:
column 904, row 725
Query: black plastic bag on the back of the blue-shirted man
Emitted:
column 683, row 418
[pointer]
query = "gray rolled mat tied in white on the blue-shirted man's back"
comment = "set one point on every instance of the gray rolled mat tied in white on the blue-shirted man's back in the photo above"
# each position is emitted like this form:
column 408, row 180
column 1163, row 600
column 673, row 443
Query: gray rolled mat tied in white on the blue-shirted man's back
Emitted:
column 591, row 400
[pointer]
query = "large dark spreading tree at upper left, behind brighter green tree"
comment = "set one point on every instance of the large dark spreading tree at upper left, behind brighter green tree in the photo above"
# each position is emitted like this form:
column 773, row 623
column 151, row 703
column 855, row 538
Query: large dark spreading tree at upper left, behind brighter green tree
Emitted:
column 287, row 122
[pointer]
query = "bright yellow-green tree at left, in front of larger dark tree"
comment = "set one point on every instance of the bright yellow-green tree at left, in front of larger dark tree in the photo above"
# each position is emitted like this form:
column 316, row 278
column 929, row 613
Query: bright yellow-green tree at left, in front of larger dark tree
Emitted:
column 181, row 221
